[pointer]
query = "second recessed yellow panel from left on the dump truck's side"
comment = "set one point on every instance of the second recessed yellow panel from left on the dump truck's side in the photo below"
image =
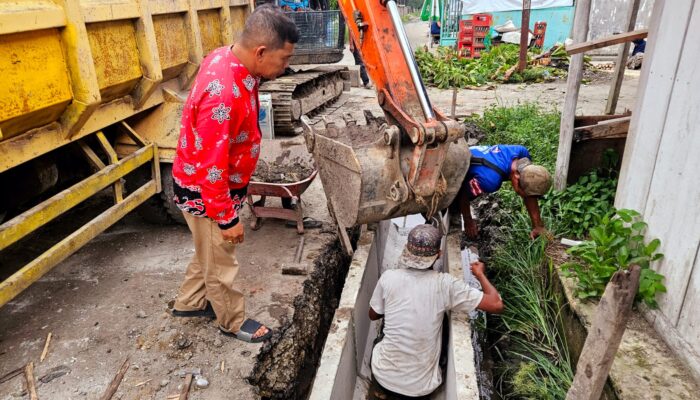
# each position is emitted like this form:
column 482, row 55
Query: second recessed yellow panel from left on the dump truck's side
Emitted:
column 116, row 57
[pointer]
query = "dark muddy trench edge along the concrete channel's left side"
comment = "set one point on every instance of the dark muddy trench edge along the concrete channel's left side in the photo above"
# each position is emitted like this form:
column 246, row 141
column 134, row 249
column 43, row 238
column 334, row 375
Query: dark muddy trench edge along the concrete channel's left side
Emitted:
column 287, row 364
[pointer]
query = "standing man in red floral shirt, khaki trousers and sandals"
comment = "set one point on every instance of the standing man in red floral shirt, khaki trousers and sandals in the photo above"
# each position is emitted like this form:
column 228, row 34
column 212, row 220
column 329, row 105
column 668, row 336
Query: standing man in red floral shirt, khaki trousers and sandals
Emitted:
column 217, row 152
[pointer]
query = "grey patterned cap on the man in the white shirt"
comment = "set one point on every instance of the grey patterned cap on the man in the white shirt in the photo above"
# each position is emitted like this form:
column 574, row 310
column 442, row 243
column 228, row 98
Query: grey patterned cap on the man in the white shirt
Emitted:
column 422, row 248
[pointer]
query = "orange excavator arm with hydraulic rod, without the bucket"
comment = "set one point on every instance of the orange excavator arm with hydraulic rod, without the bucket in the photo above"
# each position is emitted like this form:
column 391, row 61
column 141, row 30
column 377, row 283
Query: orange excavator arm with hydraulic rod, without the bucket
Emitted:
column 376, row 28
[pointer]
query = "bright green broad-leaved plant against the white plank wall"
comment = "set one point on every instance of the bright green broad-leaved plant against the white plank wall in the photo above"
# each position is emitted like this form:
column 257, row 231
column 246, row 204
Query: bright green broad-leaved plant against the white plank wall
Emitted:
column 615, row 244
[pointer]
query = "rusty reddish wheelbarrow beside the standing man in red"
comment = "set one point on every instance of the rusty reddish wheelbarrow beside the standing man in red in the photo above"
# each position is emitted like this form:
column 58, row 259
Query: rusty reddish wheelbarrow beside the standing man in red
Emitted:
column 284, row 190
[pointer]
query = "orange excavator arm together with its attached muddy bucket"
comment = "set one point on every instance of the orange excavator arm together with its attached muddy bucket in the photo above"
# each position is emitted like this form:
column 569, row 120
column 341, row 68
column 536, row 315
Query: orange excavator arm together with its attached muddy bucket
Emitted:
column 411, row 167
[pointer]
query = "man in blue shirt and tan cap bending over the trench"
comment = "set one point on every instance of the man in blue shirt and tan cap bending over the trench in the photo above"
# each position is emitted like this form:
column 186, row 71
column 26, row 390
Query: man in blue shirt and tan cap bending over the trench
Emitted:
column 489, row 167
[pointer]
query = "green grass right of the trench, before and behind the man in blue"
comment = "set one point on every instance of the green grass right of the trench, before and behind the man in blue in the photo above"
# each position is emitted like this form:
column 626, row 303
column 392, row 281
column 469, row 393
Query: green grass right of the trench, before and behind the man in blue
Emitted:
column 534, row 357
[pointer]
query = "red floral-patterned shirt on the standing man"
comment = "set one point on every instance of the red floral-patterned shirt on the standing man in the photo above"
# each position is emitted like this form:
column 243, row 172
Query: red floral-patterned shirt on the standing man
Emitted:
column 219, row 140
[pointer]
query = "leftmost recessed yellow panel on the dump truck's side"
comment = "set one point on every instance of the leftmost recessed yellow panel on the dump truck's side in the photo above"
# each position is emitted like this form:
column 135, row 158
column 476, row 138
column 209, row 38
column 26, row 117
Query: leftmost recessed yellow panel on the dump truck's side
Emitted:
column 35, row 85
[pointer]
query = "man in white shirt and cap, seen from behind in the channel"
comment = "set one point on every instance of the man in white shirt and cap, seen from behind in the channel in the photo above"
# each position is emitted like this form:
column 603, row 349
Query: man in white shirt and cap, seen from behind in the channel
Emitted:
column 412, row 300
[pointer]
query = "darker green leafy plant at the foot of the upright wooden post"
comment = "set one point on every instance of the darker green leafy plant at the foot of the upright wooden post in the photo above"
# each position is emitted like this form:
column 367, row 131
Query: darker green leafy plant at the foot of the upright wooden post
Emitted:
column 581, row 206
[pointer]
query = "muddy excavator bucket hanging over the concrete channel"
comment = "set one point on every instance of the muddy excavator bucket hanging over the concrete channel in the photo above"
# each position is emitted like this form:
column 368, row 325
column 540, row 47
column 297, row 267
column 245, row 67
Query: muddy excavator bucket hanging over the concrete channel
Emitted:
column 363, row 169
